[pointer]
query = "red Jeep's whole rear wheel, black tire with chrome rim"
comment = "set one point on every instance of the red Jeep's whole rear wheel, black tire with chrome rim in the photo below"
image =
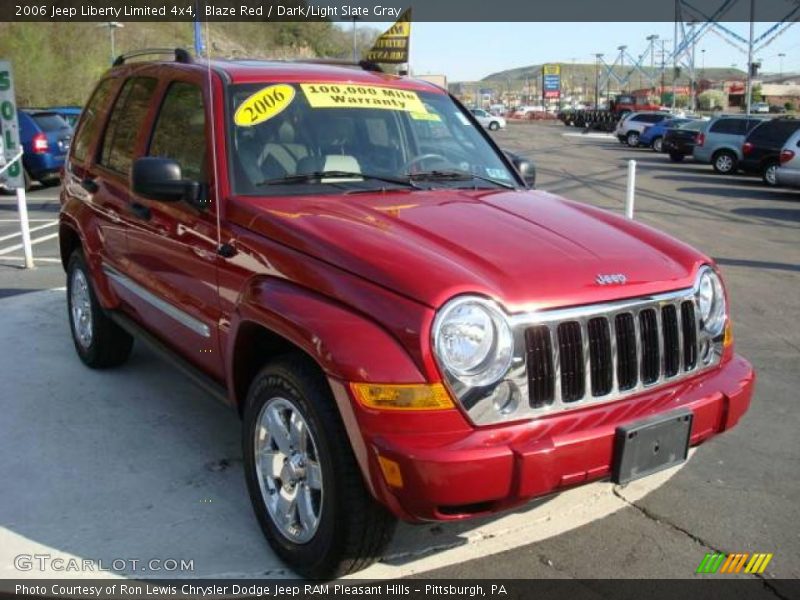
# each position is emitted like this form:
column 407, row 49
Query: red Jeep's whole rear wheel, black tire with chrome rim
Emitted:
column 99, row 342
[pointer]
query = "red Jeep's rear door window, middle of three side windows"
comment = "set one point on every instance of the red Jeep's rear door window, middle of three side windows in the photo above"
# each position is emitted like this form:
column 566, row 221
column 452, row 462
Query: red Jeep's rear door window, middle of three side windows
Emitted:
column 125, row 123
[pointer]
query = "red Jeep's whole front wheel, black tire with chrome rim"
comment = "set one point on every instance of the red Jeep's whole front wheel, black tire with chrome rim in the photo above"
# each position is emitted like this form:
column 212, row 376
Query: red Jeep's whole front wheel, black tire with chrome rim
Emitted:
column 304, row 483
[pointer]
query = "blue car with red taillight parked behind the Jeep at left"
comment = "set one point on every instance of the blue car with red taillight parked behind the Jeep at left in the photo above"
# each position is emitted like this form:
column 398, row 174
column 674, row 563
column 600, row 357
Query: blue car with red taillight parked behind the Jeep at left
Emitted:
column 45, row 138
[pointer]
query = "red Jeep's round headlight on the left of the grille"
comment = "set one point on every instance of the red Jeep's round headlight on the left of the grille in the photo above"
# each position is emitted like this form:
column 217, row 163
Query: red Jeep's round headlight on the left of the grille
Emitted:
column 473, row 341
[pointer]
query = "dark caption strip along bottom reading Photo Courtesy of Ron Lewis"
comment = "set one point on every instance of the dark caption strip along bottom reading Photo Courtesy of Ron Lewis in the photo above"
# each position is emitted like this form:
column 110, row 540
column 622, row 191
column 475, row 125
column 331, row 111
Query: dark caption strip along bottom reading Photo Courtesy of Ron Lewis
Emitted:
column 406, row 589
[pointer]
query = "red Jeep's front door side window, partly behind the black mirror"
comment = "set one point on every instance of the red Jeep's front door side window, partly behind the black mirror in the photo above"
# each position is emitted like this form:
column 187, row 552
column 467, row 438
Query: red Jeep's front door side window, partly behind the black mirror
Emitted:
column 180, row 131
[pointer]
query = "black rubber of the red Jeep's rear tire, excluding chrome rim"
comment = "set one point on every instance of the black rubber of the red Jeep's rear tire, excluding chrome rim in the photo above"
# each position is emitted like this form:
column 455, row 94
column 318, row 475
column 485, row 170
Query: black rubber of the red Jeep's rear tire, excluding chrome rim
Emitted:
column 109, row 345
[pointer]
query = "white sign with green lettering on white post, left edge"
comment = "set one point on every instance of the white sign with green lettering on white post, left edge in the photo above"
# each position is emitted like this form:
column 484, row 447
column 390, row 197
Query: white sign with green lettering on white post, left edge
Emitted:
column 12, row 175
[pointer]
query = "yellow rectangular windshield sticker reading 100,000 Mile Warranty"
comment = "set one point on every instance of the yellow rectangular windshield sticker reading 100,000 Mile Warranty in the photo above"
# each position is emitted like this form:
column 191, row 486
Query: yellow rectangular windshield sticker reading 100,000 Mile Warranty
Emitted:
column 342, row 95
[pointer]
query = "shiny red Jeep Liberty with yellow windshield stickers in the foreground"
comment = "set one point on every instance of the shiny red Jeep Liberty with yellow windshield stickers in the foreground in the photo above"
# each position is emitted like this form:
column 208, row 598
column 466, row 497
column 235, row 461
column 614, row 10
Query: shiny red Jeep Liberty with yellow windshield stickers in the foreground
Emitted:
column 407, row 329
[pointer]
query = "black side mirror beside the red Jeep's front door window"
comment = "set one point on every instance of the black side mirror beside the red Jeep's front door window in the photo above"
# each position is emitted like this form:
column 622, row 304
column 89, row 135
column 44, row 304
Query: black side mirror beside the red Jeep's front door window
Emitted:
column 160, row 179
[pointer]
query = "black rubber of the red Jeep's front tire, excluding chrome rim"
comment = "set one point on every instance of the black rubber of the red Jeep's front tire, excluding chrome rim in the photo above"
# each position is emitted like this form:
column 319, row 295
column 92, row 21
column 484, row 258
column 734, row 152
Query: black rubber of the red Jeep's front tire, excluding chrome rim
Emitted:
column 353, row 529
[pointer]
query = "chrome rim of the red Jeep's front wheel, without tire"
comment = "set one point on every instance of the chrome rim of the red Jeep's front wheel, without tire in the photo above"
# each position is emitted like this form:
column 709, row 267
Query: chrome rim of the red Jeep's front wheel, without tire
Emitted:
column 288, row 470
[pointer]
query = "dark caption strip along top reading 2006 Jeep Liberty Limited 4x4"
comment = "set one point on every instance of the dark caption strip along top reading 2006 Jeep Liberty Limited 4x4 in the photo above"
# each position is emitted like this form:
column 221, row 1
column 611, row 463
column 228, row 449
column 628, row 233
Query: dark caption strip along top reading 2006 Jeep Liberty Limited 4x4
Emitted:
column 450, row 11
